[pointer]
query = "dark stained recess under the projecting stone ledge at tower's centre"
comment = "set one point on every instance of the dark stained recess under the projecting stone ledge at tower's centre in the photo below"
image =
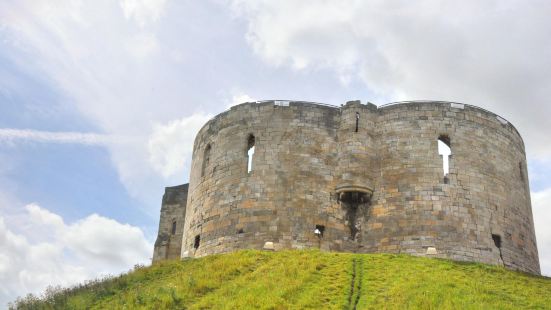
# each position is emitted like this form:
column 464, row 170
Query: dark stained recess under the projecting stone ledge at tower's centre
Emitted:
column 356, row 207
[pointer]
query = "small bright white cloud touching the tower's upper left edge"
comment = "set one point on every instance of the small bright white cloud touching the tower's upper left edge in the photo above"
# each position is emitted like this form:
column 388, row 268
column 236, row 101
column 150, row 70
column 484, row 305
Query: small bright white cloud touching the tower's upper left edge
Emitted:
column 170, row 145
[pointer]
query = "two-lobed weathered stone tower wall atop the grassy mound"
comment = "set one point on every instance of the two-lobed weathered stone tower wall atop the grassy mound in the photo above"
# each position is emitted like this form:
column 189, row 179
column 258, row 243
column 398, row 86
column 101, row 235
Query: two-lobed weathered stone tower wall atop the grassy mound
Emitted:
column 360, row 178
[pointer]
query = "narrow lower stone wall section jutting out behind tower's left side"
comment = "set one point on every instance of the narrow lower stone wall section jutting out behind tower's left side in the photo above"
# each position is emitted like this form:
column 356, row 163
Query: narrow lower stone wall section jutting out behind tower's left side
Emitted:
column 171, row 225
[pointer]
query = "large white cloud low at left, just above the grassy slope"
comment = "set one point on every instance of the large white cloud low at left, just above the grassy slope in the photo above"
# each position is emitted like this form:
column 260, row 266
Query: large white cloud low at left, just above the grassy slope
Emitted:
column 70, row 253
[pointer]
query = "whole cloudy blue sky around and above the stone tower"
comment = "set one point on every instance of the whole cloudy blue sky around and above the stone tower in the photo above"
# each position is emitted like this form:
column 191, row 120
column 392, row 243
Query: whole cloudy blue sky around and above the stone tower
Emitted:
column 100, row 102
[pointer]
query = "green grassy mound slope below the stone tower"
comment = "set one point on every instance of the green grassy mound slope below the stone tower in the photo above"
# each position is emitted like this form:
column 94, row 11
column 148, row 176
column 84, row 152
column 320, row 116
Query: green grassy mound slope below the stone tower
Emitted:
column 307, row 279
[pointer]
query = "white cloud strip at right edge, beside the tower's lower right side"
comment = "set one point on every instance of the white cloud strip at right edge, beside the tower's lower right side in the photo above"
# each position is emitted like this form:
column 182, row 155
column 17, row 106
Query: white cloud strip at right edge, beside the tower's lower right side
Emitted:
column 541, row 206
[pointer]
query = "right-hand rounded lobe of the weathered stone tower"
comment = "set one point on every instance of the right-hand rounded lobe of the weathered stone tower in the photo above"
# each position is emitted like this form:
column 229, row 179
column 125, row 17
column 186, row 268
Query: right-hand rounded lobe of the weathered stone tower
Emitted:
column 414, row 208
